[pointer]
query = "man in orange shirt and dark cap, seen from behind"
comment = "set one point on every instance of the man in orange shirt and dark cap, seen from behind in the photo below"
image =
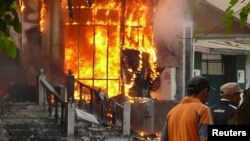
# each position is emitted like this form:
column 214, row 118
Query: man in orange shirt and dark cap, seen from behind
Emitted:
column 189, row 120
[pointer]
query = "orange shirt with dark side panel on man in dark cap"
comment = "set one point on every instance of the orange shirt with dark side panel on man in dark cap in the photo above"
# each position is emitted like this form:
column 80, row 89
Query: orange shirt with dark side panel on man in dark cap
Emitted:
column 188, row 121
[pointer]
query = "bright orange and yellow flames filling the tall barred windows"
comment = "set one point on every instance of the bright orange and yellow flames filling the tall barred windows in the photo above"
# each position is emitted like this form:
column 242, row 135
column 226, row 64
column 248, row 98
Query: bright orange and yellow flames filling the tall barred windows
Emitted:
column 93, row 41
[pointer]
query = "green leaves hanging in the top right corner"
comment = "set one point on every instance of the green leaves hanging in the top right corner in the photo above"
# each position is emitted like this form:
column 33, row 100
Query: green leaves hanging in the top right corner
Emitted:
column 228, row 17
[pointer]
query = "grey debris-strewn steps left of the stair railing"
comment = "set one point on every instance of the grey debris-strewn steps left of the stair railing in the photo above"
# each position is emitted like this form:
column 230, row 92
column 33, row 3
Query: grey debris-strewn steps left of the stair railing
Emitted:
column 29, row 121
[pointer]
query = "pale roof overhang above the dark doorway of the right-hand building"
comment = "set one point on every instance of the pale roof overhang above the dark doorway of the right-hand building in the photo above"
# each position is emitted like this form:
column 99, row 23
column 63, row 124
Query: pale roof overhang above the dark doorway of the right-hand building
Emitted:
column 221, row 47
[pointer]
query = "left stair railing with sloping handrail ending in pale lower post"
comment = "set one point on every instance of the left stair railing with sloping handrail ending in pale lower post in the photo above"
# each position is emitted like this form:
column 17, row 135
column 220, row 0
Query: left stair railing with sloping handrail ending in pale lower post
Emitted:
column 59, row 93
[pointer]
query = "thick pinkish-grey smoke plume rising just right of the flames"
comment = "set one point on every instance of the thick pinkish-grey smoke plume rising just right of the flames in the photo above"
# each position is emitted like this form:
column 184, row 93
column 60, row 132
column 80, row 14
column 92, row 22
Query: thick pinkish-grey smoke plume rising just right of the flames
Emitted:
column 168, row 23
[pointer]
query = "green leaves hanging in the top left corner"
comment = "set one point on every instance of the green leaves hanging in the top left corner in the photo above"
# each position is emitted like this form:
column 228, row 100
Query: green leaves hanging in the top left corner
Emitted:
column 8, row 19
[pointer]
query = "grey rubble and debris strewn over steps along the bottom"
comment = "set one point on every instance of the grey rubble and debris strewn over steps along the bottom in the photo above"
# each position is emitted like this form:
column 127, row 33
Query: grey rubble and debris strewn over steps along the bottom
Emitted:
column 24, row 121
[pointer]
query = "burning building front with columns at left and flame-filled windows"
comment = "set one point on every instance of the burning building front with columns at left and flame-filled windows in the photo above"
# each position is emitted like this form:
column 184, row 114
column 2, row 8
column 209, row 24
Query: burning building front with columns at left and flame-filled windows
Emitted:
column 105, row 43
